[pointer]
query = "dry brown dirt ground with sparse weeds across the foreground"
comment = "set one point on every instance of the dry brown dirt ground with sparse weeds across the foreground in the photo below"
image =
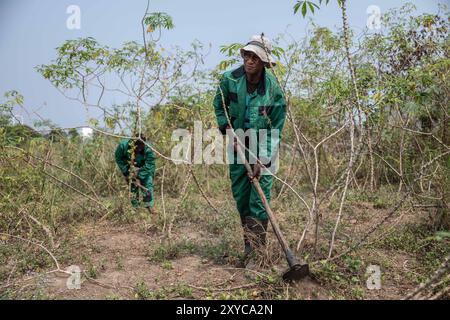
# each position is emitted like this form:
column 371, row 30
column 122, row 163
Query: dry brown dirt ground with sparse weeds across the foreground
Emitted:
column 137, row 260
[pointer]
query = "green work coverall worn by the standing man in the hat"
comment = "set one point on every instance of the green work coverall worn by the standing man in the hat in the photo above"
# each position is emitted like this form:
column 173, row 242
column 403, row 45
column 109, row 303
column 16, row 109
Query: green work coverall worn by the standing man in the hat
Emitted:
column 263, row 109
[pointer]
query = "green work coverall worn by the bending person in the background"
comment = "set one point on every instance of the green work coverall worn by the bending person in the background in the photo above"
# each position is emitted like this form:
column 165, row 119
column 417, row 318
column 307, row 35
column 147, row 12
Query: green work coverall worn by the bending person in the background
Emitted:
column 145, row 161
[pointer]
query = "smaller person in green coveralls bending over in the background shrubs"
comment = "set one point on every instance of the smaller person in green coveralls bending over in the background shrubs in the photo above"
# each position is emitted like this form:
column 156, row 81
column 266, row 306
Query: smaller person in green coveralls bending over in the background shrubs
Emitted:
column 136, row 161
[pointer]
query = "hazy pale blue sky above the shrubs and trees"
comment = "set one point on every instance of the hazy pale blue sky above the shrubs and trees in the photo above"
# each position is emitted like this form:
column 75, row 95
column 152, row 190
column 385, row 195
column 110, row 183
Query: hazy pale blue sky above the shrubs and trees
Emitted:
column 30, row 30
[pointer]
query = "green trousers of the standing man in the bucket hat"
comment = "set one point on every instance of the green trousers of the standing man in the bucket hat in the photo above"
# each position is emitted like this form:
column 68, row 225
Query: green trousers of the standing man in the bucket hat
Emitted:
column 247, row 198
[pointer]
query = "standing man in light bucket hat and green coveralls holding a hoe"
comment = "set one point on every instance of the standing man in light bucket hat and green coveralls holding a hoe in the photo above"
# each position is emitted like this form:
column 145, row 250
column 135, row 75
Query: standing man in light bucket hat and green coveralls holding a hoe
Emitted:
column 249, row 98
